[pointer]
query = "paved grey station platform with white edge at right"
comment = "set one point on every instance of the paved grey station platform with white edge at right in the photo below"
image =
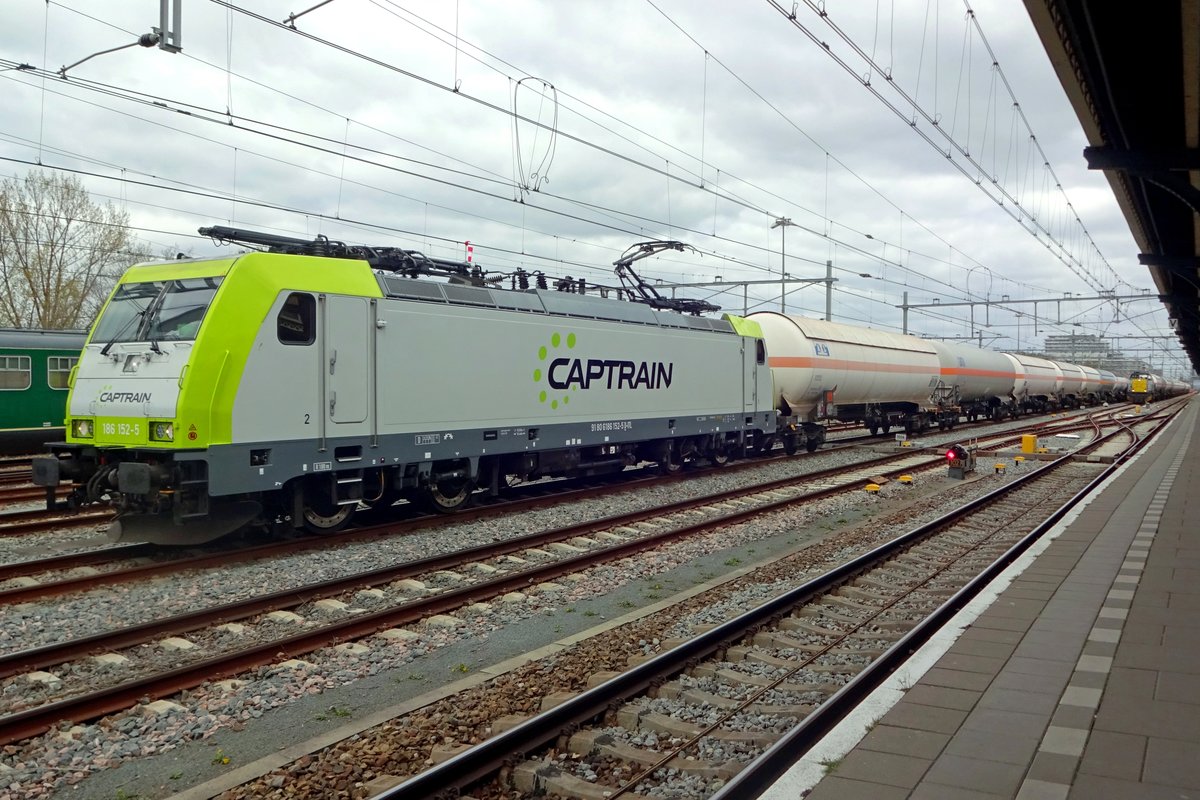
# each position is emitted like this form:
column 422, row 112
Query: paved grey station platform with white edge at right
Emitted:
column 1082, row 679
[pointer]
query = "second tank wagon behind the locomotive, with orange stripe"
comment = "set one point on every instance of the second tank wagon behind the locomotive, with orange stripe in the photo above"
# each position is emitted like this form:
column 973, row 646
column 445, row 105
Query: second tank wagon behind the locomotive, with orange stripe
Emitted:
column 980, row 383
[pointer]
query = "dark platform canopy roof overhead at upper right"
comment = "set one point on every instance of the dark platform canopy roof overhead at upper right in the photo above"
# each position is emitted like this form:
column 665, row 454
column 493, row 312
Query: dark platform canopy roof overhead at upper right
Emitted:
column 1132, row 73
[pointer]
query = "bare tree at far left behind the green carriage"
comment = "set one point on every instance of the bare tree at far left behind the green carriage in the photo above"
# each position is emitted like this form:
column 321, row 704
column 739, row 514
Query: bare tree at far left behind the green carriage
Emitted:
column 61, row 252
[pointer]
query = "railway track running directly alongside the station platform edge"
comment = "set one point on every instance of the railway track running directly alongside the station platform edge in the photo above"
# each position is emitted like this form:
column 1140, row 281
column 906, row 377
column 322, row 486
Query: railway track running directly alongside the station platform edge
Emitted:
column 688, row 720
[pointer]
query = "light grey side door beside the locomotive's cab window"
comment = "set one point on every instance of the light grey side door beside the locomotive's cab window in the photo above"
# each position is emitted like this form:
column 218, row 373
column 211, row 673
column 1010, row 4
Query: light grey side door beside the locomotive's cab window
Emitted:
column 346, row 358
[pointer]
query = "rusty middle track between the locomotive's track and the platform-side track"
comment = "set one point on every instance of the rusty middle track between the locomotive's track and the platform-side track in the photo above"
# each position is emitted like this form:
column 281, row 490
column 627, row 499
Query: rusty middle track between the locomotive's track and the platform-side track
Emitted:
column 541, row 557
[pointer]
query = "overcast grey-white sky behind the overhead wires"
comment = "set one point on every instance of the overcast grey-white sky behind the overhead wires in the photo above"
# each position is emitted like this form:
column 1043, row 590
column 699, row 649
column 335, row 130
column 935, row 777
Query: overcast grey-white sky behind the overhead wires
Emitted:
column 697, row 121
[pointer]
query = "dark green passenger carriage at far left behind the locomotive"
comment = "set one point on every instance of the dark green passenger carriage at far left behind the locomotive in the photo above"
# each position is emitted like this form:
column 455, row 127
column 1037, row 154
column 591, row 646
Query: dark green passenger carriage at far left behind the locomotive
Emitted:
column 35, row 369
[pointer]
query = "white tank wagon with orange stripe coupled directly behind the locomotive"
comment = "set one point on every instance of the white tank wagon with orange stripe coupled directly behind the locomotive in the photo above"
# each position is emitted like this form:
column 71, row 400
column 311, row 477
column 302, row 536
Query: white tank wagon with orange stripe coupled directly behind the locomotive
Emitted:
column 853, row 375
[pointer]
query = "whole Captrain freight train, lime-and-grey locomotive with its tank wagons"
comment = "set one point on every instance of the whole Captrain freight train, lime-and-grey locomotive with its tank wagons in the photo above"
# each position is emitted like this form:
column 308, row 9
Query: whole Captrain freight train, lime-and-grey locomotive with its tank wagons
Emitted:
column 289, row 387
